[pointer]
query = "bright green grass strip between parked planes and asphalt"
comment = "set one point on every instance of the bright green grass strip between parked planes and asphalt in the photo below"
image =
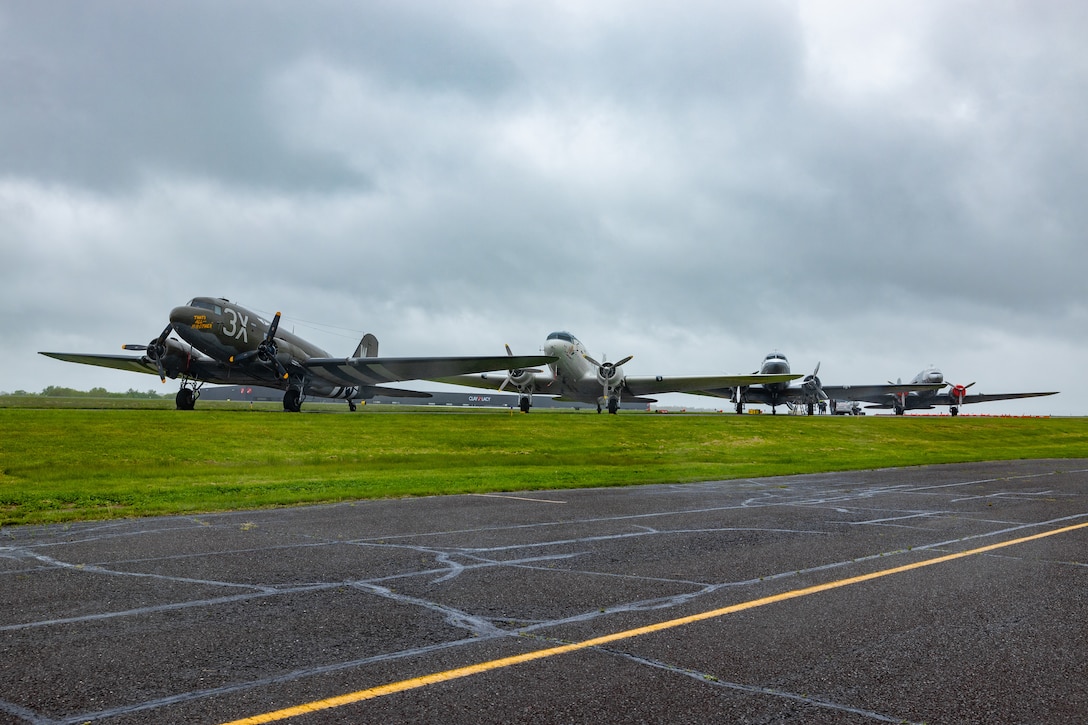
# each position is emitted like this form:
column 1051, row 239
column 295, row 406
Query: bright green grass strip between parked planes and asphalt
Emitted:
column 70, row 462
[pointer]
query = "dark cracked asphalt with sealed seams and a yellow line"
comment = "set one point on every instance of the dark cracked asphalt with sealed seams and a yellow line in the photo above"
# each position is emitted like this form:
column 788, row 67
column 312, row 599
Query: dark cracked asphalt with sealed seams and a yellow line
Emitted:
column 933, row 595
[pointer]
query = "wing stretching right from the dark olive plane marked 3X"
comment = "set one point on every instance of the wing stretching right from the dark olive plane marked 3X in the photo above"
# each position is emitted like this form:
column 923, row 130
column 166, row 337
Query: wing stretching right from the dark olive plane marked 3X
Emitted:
column 374, row 371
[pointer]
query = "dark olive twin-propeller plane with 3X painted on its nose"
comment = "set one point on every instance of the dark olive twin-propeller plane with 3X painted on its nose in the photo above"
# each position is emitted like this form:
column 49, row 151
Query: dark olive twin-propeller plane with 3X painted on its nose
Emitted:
column 220, row 342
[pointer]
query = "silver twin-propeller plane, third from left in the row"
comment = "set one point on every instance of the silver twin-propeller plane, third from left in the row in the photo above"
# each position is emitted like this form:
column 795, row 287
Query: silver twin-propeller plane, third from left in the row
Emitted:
column 809, row 392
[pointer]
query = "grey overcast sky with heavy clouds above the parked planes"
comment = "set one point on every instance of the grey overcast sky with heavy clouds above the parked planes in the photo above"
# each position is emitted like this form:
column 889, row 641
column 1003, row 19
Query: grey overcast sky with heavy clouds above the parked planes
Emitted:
column 876, row 187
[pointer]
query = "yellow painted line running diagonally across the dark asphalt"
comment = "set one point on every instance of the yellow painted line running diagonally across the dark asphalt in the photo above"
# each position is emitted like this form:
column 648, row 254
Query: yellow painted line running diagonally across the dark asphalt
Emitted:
column 551, row 653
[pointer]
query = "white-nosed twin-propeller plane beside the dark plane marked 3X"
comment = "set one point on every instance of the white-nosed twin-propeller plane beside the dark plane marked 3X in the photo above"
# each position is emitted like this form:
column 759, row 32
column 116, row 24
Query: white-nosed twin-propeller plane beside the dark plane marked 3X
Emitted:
column 575, row 376
